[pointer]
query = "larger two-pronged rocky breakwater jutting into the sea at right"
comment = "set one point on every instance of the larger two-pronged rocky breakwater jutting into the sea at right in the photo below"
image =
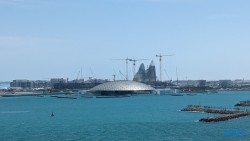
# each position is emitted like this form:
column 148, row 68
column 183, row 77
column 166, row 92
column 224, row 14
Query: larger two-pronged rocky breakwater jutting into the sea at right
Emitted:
column 227, row 113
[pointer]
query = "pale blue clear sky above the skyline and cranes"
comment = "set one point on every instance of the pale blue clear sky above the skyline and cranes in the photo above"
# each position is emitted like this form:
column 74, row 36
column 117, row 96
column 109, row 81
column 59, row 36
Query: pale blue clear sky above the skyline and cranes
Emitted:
column 43, row 39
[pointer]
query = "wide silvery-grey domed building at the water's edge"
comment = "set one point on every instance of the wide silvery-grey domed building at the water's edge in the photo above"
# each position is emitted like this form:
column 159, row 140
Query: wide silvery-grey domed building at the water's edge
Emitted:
column 121, row 88
